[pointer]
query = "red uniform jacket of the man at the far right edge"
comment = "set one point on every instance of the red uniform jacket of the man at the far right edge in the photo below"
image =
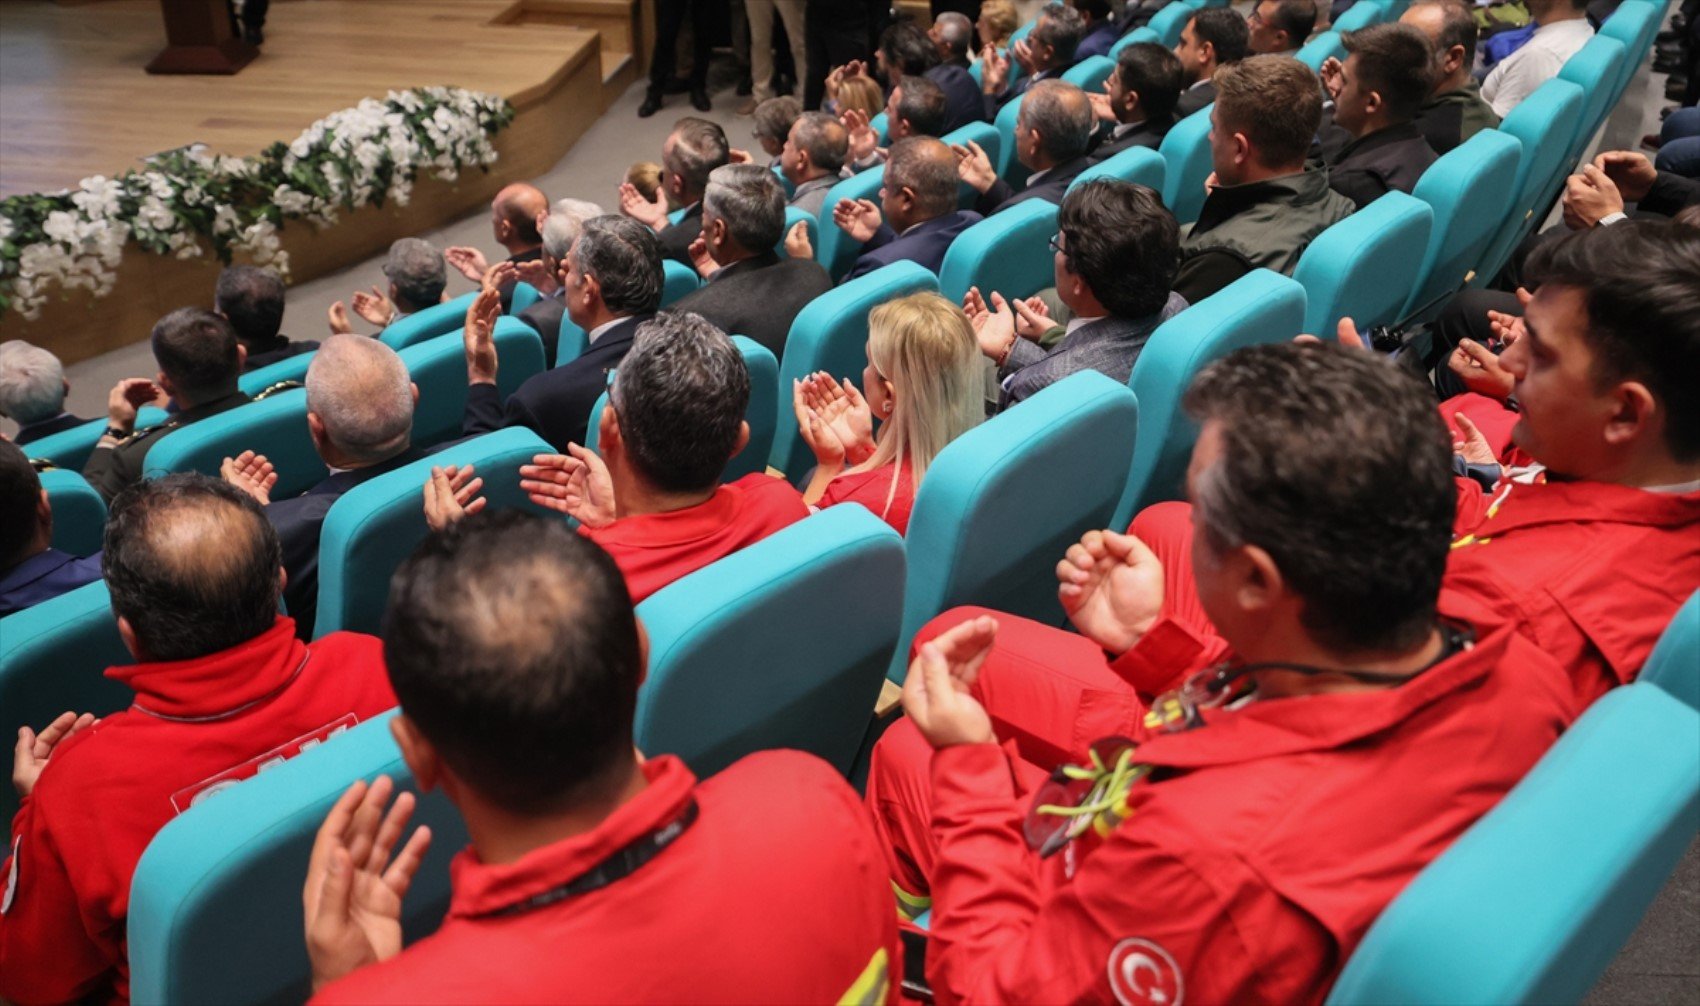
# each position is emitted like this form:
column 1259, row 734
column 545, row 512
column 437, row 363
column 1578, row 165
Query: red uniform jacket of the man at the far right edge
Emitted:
column 1590, row 572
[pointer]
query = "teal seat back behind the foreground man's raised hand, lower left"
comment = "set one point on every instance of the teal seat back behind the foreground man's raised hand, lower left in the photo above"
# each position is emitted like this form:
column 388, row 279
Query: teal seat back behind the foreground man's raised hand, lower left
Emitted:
column 215, row 908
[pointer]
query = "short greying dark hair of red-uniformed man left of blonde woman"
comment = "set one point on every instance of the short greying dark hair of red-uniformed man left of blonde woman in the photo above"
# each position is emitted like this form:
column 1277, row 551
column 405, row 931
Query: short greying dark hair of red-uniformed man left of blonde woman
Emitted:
column 681, row 397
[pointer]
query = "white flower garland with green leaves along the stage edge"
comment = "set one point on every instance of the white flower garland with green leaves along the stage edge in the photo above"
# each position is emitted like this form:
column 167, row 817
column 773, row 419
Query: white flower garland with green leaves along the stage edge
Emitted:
column 188, row 198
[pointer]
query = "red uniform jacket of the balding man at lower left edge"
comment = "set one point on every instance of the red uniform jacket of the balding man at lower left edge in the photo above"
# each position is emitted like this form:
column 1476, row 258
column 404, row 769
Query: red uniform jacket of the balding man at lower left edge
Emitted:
column 196, row 728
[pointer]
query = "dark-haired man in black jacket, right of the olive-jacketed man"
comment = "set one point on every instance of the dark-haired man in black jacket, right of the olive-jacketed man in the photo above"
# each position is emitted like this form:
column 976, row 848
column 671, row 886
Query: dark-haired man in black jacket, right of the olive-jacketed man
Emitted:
column 1378, row 93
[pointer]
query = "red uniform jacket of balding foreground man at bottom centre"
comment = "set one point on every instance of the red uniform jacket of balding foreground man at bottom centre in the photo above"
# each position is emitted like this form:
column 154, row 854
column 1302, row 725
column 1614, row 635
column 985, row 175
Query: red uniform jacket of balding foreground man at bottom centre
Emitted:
column 774, row 895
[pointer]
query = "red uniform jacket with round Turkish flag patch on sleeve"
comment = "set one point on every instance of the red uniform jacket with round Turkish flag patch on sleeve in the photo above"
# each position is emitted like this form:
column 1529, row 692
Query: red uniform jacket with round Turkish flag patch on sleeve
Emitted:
column 1252, row 868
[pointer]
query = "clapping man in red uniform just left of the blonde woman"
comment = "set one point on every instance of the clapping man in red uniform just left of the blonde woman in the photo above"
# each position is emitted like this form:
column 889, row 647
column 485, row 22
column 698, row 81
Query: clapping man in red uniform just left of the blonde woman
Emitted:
column 654, row 497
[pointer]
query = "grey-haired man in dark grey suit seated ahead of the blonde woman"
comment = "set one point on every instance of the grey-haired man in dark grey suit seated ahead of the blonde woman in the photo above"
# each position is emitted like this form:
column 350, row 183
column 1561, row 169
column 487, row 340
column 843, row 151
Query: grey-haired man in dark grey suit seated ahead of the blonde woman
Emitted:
column 751, row 290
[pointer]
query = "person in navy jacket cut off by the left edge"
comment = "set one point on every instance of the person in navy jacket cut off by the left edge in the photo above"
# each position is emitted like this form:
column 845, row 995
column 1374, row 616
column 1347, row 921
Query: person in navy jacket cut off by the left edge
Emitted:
column 31, row 570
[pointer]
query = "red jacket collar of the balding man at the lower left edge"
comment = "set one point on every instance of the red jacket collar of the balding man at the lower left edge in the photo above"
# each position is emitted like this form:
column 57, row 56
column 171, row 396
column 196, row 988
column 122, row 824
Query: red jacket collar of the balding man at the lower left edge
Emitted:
column 220, row 684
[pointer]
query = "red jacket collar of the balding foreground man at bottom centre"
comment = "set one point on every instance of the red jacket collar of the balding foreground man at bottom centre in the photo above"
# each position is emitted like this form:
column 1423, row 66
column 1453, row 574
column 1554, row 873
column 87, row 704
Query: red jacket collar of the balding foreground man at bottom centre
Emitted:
column 482, row 890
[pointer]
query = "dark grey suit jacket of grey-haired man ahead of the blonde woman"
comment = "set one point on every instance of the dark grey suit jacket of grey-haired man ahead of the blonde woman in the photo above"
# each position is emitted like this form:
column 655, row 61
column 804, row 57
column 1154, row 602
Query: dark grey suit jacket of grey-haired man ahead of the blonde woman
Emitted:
column 759, row 298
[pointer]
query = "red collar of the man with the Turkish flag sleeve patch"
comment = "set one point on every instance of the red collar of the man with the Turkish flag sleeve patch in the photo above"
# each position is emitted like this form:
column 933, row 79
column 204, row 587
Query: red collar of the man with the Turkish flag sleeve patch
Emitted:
column 1320, row 723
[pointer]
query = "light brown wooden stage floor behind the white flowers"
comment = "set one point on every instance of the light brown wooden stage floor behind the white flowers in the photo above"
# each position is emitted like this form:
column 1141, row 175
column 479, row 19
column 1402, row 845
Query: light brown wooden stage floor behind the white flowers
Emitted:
column 76, row 103
